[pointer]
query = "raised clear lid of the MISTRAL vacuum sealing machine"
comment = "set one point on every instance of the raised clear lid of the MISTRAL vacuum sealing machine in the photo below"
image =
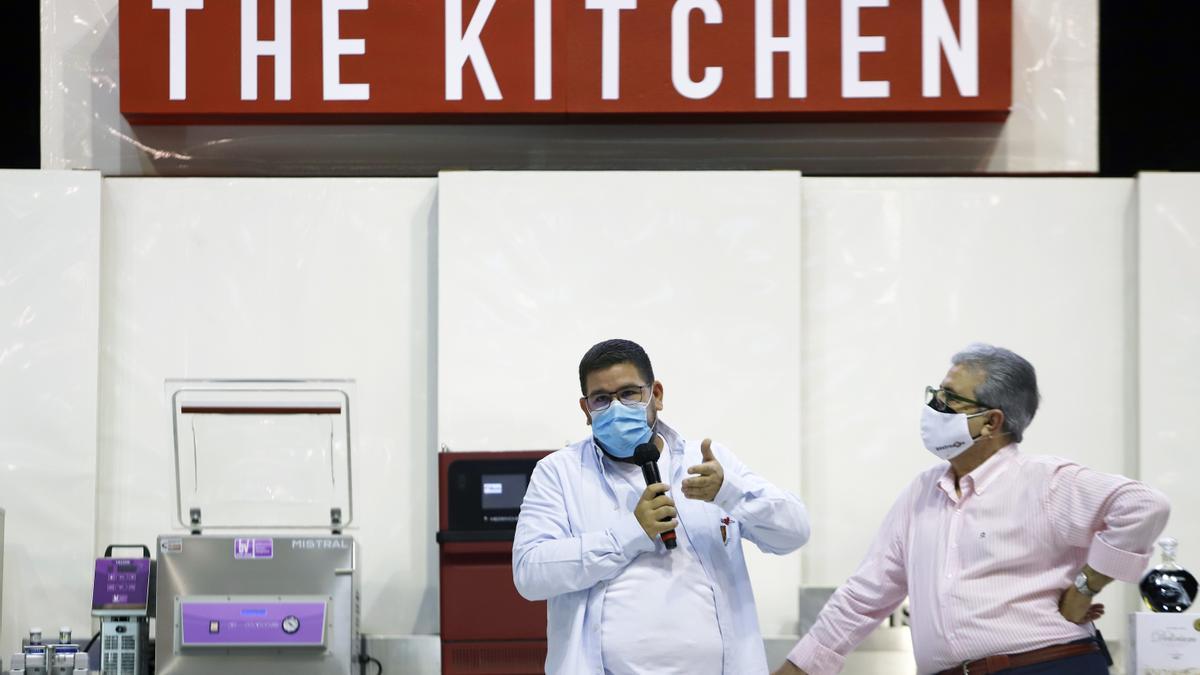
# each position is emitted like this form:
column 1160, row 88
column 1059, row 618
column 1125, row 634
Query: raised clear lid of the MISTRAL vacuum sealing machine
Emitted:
column 268, row 455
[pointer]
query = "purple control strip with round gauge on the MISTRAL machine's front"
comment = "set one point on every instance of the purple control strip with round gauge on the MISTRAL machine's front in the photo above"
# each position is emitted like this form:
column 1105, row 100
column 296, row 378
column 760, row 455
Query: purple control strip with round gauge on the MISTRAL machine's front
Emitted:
column 253, row 624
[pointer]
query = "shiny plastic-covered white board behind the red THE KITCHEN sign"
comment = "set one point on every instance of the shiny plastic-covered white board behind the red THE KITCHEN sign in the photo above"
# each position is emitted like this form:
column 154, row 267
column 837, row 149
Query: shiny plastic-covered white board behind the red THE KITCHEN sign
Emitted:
column 1053, row 127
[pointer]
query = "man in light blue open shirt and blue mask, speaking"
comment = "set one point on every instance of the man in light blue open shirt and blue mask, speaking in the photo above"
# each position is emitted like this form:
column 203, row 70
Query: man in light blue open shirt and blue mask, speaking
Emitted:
column 590, row 537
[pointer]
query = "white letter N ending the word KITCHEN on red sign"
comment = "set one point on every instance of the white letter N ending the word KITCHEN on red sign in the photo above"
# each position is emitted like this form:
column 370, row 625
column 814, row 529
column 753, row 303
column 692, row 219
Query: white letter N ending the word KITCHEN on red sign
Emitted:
column 963, row 55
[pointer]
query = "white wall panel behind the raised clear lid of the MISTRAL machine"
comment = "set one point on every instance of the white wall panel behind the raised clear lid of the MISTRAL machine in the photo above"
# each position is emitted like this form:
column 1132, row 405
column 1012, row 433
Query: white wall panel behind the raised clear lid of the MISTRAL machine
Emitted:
column 277, row 279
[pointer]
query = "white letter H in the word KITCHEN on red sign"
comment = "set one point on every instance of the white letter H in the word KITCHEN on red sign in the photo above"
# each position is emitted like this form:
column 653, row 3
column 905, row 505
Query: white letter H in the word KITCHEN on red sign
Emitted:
column 767, row 45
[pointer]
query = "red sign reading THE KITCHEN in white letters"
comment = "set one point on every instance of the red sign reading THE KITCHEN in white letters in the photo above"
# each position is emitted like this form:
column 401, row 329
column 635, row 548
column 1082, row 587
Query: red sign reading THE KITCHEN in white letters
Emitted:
column 398, row 61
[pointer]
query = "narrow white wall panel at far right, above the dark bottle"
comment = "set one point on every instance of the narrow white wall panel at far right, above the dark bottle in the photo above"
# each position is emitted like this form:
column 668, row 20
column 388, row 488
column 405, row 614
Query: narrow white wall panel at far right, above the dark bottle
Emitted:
column 1169, row 302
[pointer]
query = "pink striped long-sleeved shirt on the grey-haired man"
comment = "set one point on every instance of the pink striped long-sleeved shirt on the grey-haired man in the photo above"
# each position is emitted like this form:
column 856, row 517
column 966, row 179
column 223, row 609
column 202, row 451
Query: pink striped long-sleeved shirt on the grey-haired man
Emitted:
column 985, row 572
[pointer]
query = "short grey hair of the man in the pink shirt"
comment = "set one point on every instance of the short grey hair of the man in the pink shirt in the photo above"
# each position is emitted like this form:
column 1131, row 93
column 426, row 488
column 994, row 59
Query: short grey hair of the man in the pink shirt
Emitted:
column 1010, row 384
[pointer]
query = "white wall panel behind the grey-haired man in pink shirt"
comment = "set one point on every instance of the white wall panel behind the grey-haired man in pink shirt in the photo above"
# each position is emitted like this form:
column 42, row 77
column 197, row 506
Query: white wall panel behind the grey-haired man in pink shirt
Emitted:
column 902, row 273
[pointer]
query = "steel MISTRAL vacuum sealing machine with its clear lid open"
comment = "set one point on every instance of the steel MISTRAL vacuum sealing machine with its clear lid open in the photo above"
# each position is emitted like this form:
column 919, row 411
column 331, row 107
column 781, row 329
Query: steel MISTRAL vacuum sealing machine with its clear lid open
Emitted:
column 261, row 578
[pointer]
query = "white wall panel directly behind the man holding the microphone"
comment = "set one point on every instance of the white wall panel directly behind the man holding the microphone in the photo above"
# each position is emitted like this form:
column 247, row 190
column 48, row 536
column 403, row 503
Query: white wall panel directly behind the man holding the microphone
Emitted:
column 703, row 270
